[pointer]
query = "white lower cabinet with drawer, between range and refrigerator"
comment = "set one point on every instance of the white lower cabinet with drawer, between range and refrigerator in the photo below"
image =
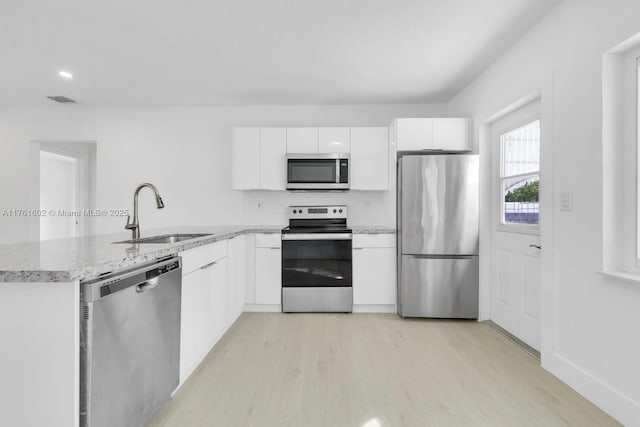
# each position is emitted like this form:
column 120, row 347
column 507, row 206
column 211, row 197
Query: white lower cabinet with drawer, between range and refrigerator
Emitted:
column 374, row 269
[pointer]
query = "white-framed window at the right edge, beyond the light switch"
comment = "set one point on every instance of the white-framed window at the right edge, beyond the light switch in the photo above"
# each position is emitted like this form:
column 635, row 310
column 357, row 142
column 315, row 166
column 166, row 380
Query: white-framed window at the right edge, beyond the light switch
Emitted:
column 621, row 161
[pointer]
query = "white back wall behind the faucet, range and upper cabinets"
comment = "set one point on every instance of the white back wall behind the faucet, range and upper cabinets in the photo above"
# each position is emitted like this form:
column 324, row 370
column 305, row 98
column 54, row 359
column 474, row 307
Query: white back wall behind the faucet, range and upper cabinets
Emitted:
column 185, row 152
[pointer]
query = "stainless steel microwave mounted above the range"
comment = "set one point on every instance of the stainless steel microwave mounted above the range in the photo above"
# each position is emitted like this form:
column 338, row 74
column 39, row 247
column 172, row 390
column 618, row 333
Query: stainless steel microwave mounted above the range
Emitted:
column 318, row 171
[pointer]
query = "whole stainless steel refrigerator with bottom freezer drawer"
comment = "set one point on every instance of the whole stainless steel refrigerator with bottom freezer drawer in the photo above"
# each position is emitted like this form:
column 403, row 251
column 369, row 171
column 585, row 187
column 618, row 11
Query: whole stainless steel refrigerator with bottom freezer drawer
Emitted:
column 437, row 235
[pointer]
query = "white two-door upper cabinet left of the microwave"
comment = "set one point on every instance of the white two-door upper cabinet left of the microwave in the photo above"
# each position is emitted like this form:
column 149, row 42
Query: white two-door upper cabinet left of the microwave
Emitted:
column 259, row 158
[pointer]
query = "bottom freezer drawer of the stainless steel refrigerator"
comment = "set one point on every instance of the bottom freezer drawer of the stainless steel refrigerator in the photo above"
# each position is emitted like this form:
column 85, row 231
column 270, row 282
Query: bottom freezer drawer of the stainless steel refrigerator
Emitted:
column 439, row 287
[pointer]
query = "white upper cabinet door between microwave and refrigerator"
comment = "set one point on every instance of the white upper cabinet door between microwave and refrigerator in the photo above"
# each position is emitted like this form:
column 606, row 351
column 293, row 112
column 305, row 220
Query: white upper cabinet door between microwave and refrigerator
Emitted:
column 369, row 158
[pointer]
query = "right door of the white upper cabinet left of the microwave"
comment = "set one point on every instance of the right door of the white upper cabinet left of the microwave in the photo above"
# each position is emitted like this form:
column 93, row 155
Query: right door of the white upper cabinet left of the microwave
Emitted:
column 273, row 165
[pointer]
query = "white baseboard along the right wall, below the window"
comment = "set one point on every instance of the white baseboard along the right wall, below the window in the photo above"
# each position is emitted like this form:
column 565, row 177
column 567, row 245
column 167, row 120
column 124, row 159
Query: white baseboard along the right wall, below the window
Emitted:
column 610, row 400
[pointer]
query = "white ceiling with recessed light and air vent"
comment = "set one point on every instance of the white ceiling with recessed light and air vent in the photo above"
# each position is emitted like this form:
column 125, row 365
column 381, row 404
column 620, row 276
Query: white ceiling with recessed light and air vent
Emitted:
column 206, row 52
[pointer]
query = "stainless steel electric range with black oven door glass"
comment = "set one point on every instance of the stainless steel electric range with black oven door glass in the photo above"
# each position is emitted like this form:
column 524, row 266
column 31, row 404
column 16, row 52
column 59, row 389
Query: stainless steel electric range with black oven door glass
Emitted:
column 316, row 260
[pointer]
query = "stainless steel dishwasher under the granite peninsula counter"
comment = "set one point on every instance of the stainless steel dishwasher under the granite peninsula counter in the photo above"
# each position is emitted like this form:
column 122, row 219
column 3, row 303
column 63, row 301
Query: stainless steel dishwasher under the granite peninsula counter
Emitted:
column 129, row 344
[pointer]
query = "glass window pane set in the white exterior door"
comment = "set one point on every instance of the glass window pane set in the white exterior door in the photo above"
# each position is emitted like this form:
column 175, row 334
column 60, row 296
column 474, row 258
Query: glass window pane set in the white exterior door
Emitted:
column 520, row 174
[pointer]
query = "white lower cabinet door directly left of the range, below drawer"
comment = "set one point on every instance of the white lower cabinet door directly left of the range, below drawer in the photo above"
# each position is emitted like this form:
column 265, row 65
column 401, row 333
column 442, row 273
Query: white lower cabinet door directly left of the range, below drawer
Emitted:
column 268, row 275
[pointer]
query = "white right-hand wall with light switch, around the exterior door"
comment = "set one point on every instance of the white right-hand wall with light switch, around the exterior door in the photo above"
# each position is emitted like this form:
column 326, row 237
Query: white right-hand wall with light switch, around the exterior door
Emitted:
column 591, row 335
